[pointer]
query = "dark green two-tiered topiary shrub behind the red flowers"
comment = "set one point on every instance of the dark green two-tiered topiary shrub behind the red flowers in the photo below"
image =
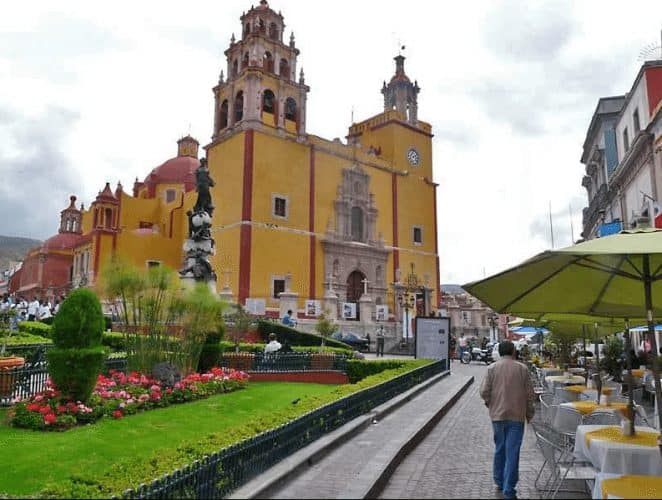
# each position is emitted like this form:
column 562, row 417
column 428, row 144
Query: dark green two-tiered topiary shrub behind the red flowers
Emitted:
column 77, row 357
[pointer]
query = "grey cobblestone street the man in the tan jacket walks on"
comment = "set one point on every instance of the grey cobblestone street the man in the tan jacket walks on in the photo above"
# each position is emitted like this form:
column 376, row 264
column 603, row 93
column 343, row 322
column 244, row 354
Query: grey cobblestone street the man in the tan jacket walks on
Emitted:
column 455, row 459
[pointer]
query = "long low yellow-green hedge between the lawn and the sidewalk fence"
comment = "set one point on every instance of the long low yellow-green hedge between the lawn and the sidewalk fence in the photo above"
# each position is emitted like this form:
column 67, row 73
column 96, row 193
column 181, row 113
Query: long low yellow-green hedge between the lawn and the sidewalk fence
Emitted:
column 128, row 474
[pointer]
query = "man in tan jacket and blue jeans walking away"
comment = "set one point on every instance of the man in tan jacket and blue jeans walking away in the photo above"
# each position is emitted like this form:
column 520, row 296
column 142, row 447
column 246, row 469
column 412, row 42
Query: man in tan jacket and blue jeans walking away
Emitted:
column 508, row 394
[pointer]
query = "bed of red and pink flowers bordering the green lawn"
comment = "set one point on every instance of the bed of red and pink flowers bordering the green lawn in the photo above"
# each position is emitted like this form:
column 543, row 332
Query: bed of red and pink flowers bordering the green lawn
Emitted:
column 117, row 396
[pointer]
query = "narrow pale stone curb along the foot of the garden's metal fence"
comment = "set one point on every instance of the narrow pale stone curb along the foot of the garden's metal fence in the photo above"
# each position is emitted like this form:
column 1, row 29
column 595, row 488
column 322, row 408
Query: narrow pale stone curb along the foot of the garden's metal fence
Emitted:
column 289, row 467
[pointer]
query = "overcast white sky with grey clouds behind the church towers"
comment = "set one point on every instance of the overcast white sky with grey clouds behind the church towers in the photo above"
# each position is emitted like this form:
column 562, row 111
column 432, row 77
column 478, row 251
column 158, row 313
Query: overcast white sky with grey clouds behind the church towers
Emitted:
column 100, row 91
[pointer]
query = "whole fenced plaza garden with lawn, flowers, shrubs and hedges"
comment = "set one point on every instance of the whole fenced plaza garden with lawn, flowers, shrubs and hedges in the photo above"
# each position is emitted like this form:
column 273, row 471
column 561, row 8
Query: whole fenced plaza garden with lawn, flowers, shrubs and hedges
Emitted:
column 171, row 398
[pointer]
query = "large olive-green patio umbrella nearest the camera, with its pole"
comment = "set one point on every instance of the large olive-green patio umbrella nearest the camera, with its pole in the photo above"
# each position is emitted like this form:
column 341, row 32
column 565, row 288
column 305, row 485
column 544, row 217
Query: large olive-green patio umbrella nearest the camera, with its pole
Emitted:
column 618, row 276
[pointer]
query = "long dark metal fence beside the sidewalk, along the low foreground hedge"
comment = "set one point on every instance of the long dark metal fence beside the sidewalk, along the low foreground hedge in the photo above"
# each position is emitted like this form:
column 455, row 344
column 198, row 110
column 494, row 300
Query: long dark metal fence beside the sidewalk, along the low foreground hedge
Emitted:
column 218, row 474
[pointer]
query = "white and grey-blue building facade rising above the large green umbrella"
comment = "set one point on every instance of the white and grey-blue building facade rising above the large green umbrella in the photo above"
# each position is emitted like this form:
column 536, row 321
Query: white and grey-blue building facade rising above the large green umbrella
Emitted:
column 622, row 155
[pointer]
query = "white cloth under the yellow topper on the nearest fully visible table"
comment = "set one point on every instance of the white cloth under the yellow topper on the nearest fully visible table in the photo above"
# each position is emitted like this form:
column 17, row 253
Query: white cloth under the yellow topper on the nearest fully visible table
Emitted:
column 618, row 458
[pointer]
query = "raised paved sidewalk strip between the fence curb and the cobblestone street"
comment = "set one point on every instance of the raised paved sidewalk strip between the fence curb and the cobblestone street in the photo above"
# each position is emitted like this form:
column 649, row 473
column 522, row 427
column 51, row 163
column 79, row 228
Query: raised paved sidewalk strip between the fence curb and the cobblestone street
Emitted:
column 352, row 469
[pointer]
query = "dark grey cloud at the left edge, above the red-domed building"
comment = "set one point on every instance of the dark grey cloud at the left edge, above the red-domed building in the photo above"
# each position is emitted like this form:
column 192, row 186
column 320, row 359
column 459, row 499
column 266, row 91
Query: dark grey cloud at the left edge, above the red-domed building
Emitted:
column 40, row 179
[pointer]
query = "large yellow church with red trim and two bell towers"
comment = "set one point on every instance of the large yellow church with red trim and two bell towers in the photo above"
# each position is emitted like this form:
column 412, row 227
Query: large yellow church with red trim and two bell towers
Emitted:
column 294, row 213
